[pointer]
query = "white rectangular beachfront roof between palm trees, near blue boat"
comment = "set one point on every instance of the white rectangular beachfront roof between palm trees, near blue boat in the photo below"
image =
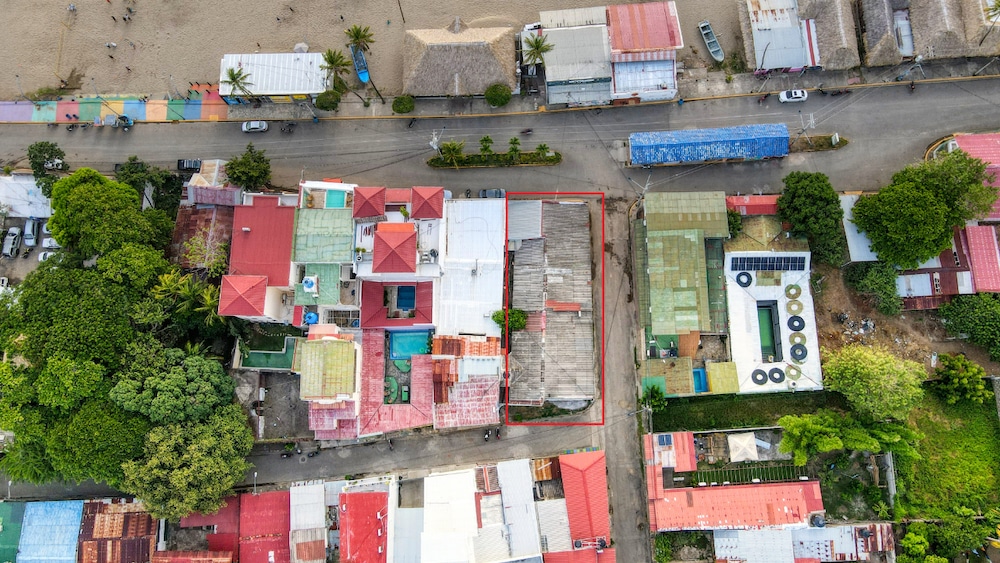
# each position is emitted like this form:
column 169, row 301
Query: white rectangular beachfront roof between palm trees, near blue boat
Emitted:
column 276, row 74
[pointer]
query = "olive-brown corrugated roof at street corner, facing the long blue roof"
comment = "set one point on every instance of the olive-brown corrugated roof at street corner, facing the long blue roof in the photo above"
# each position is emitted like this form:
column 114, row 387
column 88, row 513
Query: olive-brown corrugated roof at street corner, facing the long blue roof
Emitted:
column 670, row 211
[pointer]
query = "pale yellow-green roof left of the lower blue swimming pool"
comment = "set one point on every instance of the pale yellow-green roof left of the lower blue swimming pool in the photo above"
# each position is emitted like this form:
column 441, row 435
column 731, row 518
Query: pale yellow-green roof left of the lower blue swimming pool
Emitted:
column 326, row 368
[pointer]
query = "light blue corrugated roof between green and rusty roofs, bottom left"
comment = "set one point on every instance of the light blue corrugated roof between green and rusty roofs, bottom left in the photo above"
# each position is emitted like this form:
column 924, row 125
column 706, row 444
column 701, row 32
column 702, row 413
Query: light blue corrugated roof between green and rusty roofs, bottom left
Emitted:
column 49, row 532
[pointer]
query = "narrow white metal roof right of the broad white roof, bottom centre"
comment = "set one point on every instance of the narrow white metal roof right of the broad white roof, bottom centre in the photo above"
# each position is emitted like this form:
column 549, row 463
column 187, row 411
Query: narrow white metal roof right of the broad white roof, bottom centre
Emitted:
column 516, row 487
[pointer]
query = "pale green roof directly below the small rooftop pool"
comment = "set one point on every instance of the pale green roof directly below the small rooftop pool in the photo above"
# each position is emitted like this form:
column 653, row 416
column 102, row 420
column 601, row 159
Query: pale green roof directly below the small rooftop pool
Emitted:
column 323, row 236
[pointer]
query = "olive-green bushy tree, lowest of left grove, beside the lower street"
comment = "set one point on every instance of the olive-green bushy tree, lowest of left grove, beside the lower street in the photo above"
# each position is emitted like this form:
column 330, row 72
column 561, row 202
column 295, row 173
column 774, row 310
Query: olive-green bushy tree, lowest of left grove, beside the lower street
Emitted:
column 191, row 467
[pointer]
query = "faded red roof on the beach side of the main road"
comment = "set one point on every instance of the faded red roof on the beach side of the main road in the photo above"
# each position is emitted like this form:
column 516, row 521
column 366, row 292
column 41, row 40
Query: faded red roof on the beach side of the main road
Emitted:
column 644, row 29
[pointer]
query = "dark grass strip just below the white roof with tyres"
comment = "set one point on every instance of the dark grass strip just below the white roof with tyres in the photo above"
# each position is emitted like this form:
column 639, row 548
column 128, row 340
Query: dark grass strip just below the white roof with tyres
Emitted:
column 741, row 411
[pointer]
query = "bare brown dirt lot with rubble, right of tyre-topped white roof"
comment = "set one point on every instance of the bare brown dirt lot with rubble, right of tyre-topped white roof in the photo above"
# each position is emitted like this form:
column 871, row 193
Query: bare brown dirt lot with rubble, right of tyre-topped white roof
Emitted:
column 914, row 335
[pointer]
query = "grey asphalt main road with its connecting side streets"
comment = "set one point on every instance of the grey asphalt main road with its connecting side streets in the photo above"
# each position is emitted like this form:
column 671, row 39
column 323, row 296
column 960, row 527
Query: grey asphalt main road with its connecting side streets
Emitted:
column 887, row 128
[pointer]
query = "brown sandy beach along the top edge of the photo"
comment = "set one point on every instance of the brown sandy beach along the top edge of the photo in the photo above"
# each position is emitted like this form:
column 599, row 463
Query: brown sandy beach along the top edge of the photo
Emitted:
column 165, row 45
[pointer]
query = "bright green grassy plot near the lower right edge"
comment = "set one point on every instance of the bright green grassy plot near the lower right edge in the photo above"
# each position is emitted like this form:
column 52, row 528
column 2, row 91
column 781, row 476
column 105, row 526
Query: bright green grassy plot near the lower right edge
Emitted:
column 960, row 461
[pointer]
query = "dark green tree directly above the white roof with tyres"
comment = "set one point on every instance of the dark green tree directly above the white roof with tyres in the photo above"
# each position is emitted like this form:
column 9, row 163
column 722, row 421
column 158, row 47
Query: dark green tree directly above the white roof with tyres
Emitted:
column 811, row 205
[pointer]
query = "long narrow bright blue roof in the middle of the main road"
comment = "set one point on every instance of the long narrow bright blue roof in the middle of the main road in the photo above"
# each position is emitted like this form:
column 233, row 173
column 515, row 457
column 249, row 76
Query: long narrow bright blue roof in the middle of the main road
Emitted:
column 744, row 142
